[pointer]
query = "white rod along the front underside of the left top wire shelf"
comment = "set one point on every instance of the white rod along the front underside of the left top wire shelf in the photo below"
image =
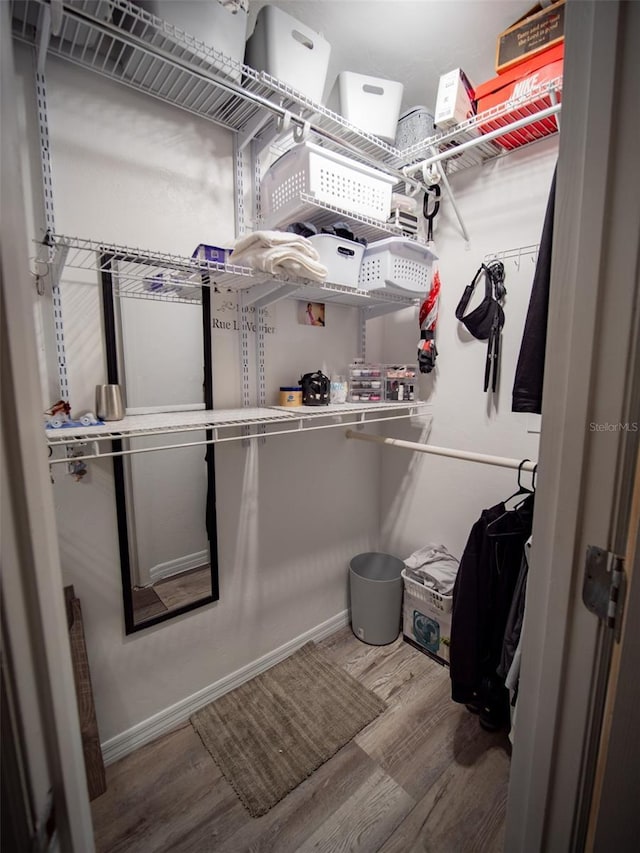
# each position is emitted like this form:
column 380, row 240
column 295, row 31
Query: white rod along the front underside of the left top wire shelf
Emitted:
column 234, row 89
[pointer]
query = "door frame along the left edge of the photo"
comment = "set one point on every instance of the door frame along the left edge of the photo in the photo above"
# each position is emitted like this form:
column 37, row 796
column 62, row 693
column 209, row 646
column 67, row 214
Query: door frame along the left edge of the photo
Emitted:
column 35, row 624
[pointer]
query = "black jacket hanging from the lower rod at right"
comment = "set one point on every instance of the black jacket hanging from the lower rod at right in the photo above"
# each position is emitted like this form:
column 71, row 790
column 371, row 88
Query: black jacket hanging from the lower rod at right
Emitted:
column 482, row 597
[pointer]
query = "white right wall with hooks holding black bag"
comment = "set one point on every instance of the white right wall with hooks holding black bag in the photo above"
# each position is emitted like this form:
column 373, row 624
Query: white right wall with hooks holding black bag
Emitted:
column 433, row 499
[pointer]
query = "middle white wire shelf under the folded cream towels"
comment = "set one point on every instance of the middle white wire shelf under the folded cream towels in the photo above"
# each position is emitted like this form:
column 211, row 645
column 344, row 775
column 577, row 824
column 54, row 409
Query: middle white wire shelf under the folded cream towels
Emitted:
column 142, row 274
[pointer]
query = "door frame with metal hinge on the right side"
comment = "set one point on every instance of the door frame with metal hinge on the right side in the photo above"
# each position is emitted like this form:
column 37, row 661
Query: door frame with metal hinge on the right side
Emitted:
column 583, row 490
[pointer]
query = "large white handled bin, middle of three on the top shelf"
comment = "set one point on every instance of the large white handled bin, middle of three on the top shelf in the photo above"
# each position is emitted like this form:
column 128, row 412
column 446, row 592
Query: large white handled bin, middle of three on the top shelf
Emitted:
column 290, row 51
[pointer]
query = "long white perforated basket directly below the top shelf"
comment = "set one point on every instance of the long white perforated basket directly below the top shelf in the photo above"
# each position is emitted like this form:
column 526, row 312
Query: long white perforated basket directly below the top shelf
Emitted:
column 328, row 177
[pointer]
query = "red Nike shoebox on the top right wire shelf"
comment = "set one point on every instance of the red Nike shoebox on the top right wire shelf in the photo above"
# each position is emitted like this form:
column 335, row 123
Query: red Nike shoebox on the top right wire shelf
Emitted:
column 525, row 86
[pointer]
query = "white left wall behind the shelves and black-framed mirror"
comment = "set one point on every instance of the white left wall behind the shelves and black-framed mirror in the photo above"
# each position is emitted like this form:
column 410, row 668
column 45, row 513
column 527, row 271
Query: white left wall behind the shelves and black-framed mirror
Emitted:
column 291, row 513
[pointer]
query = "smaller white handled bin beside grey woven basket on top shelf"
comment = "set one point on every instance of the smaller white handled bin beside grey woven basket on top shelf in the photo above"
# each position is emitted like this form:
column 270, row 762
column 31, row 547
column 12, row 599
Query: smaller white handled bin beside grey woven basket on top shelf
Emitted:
column 370, row 103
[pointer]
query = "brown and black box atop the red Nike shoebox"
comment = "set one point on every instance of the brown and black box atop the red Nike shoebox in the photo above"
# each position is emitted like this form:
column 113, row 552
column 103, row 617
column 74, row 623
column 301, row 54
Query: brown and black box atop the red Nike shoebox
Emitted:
column 538, row 30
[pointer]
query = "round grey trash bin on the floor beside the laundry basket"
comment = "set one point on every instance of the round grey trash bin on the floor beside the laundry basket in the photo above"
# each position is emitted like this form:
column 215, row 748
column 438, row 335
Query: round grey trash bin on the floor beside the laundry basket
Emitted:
column 375, row 585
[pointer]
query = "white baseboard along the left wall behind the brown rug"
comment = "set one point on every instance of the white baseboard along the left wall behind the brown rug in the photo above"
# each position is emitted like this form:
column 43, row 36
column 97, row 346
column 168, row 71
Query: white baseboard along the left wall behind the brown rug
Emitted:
column 164, row 721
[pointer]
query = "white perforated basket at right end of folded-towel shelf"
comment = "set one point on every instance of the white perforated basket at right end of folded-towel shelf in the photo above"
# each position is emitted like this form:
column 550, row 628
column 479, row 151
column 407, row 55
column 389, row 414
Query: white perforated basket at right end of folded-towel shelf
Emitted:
column 397, row 264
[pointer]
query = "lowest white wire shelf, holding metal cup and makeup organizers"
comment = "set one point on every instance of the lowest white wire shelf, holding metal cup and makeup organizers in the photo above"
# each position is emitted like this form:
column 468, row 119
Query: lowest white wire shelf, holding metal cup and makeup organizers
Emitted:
column 93, row 442
